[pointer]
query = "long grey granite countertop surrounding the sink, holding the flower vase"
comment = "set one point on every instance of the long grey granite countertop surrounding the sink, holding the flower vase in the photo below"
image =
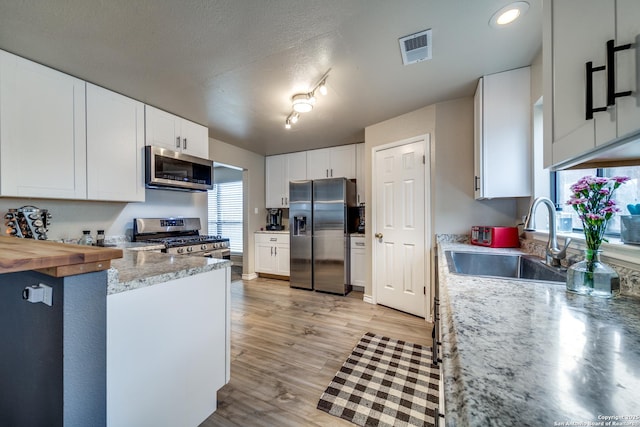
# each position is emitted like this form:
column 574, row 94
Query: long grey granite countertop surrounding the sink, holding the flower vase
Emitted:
column 521, row 353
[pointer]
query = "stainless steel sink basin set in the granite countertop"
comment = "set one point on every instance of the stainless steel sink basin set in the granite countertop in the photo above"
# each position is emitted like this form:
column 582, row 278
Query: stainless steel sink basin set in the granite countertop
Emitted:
column 521, row 267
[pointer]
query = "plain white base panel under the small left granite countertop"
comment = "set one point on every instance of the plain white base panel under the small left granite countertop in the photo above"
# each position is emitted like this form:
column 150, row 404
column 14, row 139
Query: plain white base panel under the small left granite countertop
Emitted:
column 168, row 351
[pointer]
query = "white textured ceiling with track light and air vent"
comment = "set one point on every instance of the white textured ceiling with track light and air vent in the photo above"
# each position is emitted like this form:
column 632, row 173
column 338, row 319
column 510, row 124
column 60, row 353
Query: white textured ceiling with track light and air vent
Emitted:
column 233, row 65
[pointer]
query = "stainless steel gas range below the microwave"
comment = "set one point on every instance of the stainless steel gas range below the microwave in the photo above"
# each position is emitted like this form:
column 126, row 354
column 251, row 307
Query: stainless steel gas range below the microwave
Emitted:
column 180, row 236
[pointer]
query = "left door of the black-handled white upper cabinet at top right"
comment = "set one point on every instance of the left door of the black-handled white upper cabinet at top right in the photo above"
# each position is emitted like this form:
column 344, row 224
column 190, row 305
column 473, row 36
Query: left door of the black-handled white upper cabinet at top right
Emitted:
column 573, row 45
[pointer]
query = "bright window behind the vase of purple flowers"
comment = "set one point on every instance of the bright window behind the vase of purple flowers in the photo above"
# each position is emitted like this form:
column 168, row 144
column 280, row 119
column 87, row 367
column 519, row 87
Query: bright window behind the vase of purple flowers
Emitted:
column 628, row 193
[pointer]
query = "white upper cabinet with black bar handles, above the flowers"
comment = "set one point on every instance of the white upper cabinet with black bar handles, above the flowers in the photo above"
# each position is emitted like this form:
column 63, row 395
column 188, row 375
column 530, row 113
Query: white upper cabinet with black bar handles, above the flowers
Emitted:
column 581, row 115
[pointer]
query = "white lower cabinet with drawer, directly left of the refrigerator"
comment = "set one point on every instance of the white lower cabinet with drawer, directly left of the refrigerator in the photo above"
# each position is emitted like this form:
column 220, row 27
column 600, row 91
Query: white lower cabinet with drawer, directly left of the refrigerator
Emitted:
column 272, row 253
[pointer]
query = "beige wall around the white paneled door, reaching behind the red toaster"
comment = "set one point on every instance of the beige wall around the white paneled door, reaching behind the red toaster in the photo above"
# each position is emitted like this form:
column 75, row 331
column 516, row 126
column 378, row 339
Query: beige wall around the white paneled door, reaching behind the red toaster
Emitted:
column 453, row 207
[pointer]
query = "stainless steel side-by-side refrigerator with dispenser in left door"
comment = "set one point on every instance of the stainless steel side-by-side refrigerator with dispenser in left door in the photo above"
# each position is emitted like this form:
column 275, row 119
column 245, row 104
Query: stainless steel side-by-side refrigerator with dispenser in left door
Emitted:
column 321, row 220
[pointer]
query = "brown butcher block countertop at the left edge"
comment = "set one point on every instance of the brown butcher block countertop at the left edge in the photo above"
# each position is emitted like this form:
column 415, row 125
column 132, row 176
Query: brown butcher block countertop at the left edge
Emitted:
column 53, row 258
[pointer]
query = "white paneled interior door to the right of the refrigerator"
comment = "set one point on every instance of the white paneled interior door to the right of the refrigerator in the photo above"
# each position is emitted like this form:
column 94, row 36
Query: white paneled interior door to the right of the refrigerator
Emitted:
column 399, row 227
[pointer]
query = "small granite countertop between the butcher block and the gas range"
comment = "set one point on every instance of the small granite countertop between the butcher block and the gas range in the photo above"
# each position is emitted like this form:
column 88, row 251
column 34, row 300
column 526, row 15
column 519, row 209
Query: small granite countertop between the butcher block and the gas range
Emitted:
column 140, row 268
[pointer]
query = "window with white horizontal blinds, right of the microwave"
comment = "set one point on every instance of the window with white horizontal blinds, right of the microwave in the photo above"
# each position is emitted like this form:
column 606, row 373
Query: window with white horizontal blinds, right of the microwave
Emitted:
column 225, row 213
